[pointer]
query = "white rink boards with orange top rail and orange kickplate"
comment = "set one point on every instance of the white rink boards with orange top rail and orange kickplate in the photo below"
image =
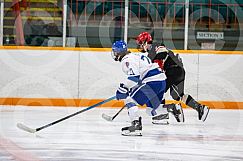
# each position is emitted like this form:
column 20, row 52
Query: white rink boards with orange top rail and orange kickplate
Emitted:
column 83, row 76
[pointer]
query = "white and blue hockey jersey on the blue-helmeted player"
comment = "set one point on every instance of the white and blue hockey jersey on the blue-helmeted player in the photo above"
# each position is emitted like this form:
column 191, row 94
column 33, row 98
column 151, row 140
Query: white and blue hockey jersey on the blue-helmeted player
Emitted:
column 140, row 69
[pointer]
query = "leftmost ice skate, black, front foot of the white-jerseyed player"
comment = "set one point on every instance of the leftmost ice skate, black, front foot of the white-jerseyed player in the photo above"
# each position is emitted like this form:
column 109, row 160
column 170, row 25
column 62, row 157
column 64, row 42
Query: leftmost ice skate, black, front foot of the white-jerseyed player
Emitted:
column 134, row 130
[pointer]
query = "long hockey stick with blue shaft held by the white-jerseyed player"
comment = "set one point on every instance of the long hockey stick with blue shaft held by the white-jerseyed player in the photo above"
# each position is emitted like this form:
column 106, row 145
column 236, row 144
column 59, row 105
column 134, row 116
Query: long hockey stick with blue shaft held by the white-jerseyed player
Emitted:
column 31, row 130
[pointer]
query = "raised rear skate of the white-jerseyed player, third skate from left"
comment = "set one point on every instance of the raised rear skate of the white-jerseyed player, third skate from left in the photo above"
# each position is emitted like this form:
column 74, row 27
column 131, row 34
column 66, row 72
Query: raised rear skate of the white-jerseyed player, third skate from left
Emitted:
column 177, row 111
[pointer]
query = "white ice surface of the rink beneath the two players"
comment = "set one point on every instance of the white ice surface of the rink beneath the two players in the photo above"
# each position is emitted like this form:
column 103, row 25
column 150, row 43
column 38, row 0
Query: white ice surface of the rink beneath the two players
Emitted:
column 88, row 137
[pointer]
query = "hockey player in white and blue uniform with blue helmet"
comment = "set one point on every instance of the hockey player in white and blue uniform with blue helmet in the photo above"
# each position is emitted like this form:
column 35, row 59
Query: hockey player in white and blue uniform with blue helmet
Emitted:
column 145, row 84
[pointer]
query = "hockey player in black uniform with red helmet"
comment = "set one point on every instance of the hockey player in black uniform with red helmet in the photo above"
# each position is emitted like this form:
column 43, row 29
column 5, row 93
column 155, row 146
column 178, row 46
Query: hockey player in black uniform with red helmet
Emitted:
column 172, row 65
